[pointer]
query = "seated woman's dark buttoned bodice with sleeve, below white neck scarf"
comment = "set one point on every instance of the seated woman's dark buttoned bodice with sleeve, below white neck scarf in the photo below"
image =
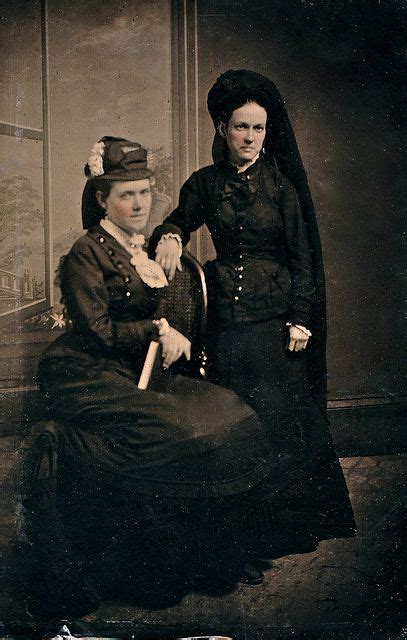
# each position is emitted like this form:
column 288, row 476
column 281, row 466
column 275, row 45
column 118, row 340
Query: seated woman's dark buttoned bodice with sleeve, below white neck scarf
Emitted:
column 110, row 307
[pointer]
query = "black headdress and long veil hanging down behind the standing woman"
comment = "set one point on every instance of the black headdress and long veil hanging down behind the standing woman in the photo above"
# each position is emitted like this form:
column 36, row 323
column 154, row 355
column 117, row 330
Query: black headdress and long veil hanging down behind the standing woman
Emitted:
column 231, row 90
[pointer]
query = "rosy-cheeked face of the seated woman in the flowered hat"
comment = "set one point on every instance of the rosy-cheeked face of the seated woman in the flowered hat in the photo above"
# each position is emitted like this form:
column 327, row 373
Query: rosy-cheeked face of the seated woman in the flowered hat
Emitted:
column 128, row 204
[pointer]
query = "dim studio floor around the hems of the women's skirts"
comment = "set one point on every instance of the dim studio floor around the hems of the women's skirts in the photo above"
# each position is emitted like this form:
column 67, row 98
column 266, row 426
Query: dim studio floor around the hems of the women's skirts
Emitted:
column 347, row 589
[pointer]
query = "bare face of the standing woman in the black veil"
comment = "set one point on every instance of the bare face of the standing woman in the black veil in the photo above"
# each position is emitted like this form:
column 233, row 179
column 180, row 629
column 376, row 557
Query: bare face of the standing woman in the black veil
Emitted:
column 245, row 133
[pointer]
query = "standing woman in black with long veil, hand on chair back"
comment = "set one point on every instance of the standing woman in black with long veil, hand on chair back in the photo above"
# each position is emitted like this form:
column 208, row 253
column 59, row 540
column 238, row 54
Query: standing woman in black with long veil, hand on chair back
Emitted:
column 266, row 297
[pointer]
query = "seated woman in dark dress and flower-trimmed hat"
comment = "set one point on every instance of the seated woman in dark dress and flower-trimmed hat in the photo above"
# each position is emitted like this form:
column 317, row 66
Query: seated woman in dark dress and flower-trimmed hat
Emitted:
column 152, row 493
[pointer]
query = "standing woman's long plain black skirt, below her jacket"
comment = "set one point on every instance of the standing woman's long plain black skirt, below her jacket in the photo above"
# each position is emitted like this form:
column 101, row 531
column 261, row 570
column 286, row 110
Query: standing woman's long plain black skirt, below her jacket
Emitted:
column 311, row 498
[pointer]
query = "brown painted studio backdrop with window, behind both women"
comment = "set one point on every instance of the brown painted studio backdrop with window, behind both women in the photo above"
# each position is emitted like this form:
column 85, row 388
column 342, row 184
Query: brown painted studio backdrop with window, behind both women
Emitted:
column 74, row 71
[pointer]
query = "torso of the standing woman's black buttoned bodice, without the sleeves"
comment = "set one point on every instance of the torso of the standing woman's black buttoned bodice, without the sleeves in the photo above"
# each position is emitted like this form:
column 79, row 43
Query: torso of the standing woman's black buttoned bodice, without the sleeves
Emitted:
column 248, row 234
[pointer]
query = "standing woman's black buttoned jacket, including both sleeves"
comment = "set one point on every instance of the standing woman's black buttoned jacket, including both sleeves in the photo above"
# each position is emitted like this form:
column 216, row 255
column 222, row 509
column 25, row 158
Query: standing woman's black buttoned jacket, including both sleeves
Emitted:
column 263, row 267
